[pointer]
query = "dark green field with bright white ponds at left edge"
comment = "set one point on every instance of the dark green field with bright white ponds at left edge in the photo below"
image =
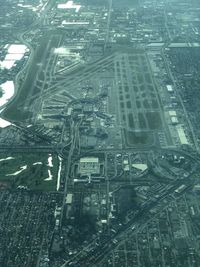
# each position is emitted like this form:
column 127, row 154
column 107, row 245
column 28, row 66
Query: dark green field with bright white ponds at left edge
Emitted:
column 34, row 176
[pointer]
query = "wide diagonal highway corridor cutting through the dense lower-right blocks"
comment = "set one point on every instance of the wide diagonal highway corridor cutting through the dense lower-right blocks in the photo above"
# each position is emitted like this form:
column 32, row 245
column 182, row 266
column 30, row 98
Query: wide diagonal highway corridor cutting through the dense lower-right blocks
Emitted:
column 96, row 253
